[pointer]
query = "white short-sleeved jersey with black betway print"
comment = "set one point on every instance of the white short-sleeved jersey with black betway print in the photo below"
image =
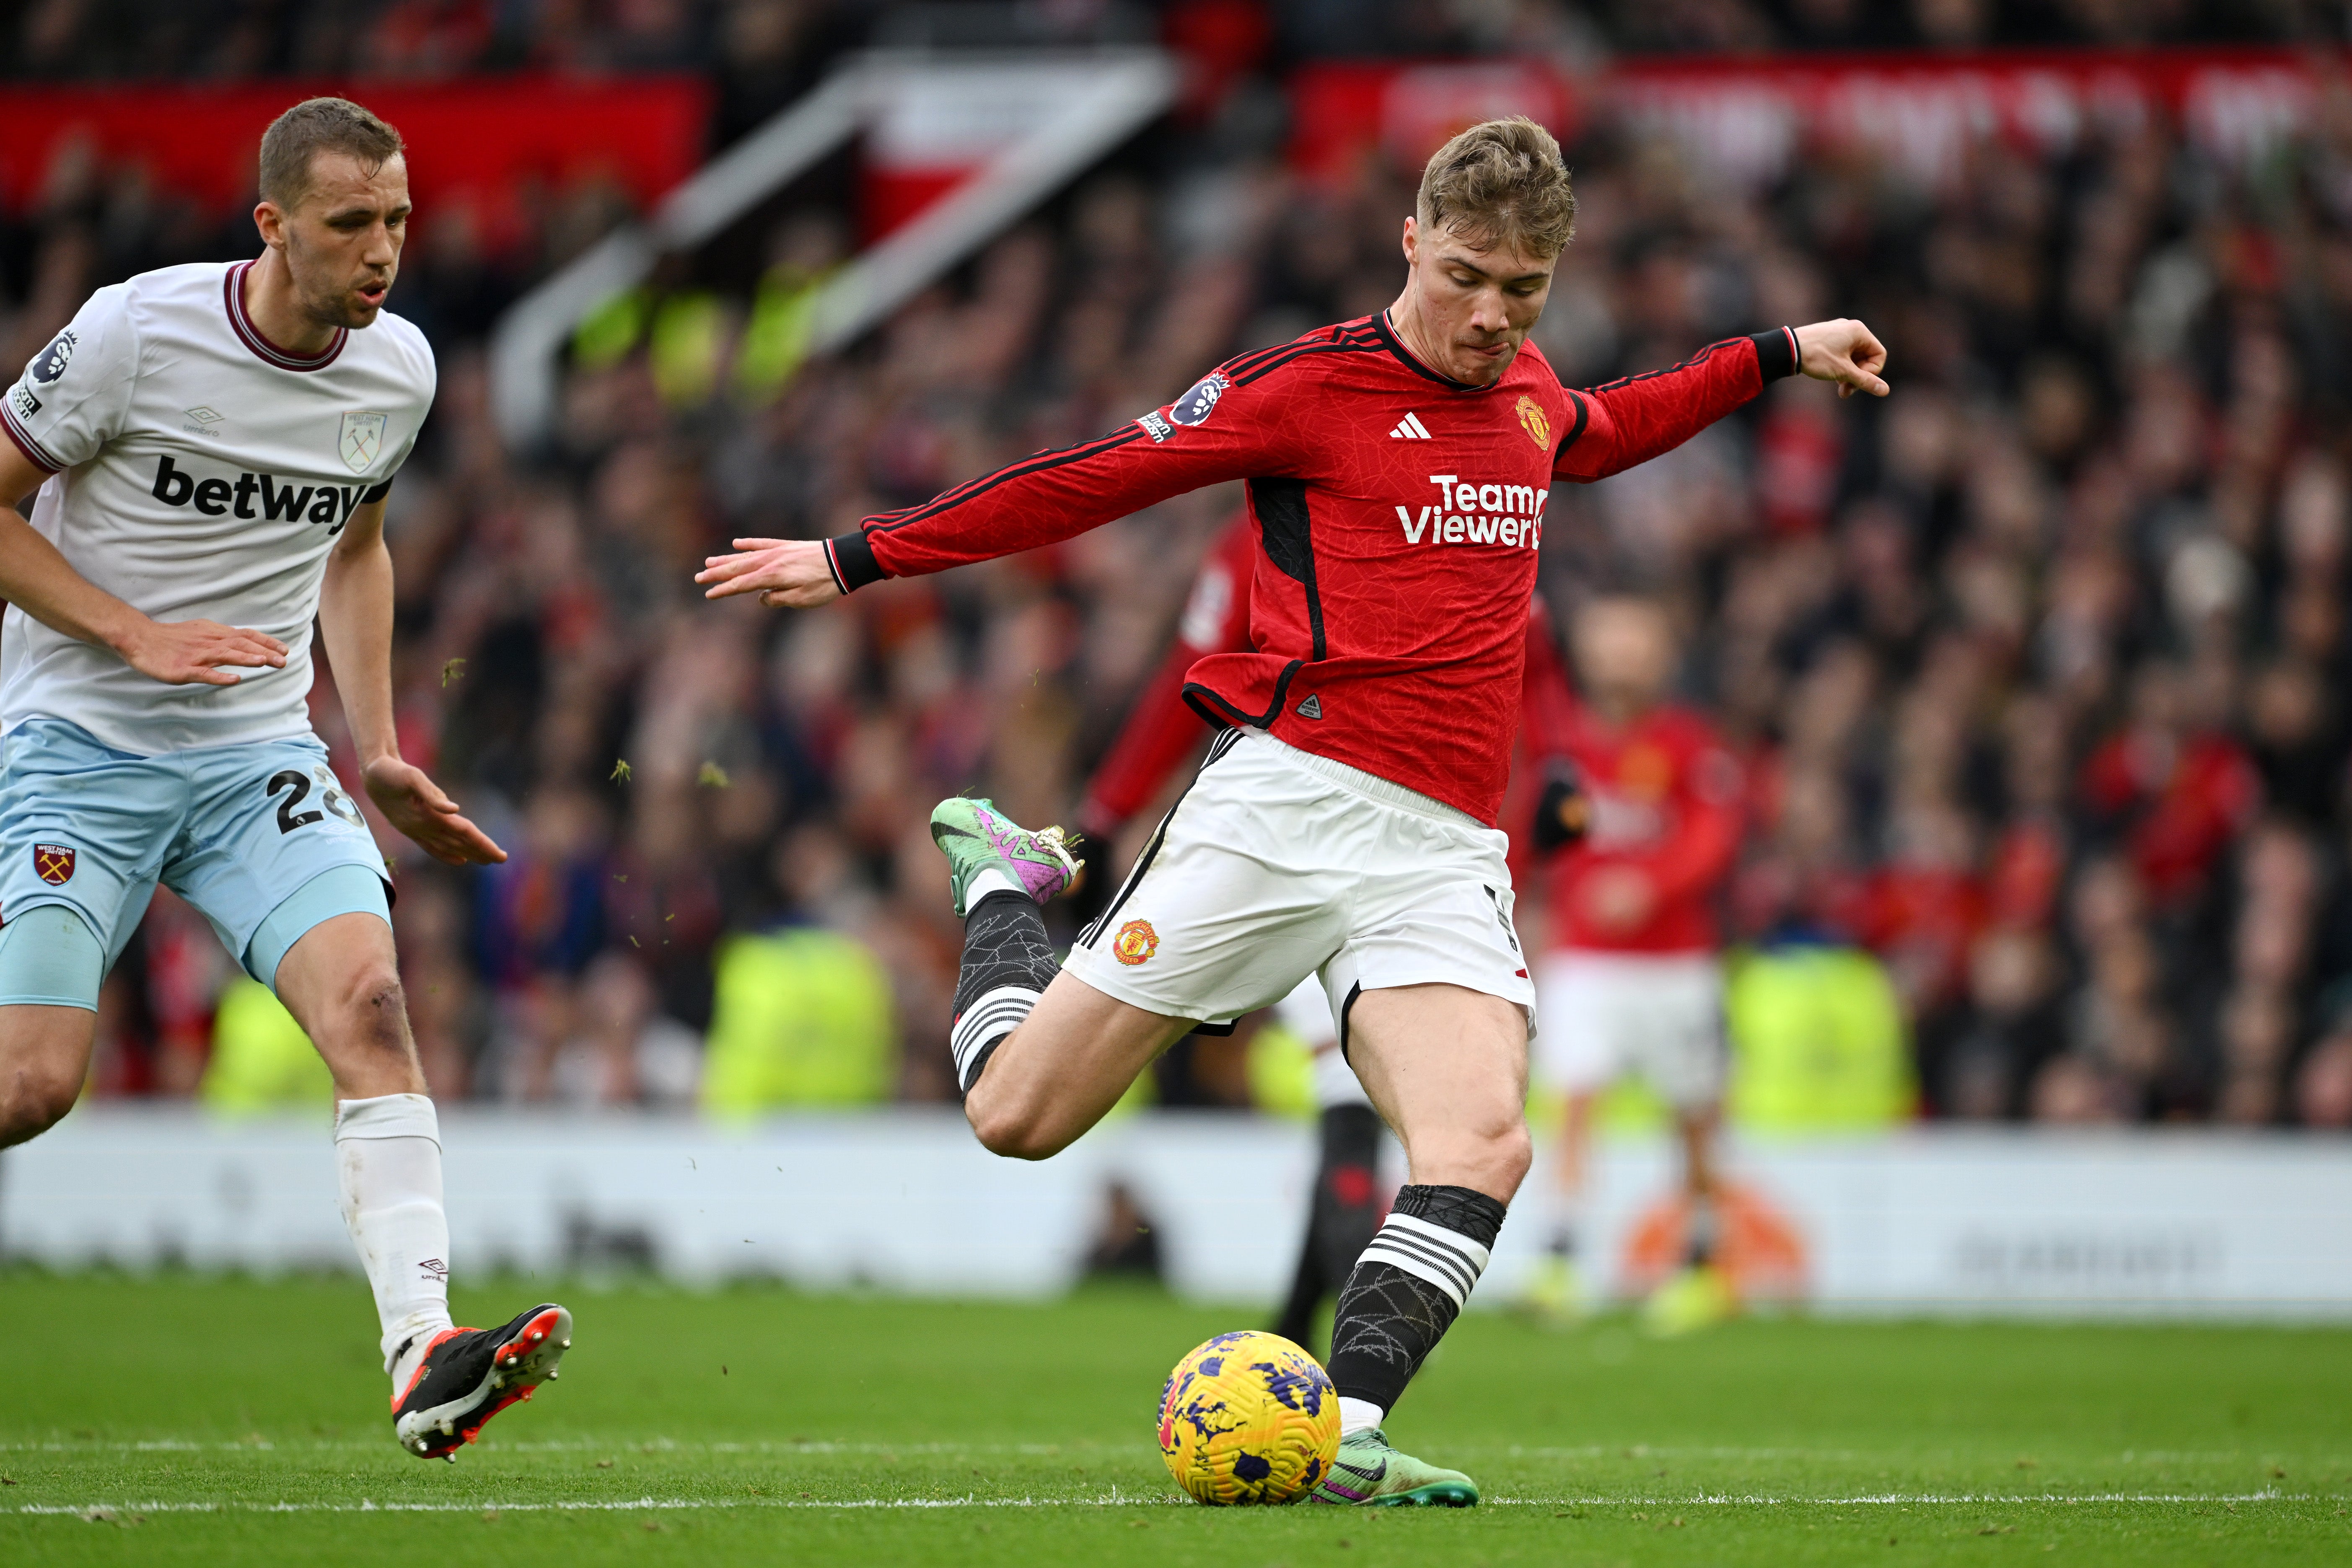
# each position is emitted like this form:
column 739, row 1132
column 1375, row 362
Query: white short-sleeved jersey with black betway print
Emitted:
column 199, row 474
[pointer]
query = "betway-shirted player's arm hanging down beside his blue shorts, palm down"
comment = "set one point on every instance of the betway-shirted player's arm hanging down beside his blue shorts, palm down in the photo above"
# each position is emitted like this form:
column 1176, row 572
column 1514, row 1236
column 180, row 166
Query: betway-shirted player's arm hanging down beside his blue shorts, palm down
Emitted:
column 356, row 624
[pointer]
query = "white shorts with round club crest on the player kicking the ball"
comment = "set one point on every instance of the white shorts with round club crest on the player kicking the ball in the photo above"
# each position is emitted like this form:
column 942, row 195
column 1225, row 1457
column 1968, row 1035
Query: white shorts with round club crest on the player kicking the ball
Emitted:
column 1276, row 866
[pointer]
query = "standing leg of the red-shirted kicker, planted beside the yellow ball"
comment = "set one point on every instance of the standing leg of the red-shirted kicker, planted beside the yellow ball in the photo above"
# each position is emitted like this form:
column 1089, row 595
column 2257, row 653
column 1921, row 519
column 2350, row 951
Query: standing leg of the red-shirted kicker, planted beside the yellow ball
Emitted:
column 1448, row 1068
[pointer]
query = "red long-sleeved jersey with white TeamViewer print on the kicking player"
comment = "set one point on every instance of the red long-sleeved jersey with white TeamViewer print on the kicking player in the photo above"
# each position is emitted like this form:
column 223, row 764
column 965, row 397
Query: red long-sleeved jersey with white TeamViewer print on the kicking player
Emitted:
column 1398, row 525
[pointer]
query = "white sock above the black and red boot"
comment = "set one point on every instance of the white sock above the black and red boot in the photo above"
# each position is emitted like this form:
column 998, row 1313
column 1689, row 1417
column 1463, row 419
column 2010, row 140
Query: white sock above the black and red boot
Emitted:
column 387, row 1155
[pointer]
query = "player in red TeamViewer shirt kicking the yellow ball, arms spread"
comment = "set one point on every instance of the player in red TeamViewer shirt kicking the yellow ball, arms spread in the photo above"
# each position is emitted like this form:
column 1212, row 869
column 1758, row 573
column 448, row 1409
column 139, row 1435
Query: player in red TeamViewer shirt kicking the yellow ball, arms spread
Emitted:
column 1344, row 826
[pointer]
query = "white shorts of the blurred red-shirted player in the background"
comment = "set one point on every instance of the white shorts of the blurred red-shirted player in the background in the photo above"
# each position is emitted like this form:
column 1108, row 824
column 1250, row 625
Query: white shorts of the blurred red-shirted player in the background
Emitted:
column 1633, row 1014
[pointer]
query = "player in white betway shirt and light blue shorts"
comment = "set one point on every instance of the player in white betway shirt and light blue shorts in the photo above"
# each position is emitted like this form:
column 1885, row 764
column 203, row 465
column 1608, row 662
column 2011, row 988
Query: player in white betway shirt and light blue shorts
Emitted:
column 213, row 448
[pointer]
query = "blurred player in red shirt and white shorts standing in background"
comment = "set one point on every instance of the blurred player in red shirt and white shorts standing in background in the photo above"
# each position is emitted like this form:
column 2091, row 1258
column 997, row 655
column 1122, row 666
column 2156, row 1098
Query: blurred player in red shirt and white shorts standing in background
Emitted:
column 1633, row 984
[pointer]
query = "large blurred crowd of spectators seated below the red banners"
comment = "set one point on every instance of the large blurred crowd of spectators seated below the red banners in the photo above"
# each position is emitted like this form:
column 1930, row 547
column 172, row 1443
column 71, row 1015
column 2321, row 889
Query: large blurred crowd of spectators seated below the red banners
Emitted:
column 2038, row 666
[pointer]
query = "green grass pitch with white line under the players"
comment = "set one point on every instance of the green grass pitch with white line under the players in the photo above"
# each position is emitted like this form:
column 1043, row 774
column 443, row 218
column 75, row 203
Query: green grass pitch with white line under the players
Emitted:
column 189, row 1421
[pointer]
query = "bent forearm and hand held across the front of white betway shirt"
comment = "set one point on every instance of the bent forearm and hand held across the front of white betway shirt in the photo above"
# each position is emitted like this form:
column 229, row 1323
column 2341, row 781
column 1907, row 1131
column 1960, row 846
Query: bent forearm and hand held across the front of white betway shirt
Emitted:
column 46, row 587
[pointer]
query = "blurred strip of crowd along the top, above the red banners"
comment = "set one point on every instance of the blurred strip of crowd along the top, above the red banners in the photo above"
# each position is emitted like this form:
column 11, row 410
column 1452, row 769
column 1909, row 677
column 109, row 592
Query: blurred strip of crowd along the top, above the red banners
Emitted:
column 763, row 48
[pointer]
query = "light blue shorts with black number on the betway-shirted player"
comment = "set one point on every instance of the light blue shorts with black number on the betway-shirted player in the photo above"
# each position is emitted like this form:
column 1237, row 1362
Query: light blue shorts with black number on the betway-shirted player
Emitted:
column 260, row 838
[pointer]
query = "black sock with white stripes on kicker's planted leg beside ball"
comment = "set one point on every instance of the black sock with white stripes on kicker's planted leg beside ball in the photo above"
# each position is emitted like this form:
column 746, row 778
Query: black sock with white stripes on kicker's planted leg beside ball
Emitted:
column 1410, row 1287
